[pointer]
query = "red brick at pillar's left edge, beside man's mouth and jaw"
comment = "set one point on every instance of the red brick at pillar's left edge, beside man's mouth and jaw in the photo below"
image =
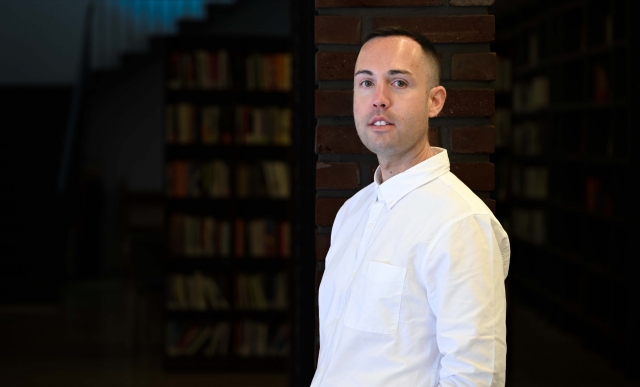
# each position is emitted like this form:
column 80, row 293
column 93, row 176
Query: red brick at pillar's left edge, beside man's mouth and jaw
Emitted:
column 339, row 140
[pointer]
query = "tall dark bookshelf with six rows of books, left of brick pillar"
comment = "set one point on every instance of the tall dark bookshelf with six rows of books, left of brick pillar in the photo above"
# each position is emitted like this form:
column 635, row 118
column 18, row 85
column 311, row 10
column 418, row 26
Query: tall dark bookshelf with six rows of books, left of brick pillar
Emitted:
column 228, row 155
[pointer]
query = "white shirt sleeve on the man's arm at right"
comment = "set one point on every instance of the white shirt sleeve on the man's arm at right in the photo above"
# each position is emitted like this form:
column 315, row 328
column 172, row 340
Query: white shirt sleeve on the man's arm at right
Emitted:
column 465, row 288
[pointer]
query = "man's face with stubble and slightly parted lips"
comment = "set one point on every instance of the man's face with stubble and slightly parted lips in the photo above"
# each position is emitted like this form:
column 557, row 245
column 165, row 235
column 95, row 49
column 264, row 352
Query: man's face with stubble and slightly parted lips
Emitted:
column 391, row 96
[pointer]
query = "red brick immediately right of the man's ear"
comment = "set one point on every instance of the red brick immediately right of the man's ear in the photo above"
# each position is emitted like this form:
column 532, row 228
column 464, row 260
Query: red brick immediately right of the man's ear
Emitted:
column 469, row 103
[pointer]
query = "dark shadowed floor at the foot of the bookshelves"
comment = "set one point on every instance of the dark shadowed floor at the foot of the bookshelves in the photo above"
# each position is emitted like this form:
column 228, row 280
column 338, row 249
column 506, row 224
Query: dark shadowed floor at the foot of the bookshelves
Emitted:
column 105, row 334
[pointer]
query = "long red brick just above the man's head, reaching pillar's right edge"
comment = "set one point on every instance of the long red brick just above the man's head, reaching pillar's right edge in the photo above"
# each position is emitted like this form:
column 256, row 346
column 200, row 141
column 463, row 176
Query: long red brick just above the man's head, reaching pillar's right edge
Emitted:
column 445, row 29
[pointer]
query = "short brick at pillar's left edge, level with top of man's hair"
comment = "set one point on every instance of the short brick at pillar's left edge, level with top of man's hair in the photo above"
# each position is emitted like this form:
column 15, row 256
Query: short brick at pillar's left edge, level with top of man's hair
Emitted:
column 338, row 29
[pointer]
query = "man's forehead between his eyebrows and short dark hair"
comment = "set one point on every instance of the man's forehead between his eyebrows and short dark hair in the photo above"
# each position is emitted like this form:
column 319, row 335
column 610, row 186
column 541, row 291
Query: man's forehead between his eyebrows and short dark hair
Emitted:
column 392, row 53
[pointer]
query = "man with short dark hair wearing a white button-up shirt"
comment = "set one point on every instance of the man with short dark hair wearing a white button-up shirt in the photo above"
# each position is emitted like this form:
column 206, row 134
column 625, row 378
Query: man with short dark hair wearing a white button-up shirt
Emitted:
column 413, row 288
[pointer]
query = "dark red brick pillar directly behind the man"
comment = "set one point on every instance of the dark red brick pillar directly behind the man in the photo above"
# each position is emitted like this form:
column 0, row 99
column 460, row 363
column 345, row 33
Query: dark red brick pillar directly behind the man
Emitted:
column 461, row 31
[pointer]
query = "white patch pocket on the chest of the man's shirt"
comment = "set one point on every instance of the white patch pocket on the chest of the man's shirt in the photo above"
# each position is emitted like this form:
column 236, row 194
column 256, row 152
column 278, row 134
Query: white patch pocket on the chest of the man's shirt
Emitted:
column 375, row 299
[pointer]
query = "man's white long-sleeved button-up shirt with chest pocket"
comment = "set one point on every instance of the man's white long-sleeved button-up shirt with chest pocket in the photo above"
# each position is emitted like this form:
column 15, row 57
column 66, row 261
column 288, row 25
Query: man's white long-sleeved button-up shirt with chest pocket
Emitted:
column 413, row 289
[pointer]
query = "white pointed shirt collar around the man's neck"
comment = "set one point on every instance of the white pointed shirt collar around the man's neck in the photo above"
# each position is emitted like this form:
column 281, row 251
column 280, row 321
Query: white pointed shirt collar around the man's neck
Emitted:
column 395, row 188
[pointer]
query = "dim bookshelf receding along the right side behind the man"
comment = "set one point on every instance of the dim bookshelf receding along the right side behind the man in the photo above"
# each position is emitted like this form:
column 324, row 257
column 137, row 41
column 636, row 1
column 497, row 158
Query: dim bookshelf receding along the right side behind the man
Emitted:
column 563, row 192
